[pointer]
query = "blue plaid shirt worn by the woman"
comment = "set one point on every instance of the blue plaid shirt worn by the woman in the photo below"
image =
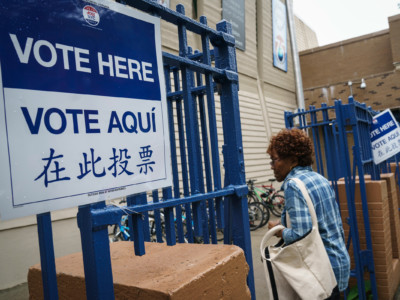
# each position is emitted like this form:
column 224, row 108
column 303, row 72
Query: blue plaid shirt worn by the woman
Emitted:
column 328, row 215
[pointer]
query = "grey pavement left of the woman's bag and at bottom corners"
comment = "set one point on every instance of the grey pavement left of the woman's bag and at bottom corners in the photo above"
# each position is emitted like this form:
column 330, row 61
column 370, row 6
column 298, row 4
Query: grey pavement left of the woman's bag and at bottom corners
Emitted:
column 20, row 292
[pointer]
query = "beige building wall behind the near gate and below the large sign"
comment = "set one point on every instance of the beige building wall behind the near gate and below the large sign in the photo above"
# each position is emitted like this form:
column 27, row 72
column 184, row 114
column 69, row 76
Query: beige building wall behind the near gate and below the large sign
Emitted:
column 265, row 93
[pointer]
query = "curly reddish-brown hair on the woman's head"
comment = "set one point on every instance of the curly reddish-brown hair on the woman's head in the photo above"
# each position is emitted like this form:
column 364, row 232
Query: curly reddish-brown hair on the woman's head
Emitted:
column 292, row 142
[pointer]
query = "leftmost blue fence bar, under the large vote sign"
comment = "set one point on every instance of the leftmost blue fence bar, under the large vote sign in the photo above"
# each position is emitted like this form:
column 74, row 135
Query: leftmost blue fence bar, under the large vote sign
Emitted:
column 49, row 275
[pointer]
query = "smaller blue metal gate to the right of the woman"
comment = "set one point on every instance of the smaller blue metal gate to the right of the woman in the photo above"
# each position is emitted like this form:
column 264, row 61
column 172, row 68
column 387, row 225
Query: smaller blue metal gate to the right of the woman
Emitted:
column 334, row 126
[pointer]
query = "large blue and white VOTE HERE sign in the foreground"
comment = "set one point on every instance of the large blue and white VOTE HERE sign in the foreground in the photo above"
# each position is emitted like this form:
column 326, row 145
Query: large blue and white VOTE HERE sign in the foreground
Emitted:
column 83, row 114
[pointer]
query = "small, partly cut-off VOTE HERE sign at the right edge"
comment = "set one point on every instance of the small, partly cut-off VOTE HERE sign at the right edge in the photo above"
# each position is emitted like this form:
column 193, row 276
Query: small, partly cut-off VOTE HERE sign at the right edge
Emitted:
column 385, row 136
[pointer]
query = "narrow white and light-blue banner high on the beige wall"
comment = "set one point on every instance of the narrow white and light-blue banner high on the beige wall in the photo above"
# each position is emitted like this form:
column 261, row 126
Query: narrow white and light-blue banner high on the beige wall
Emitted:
column 279, row 33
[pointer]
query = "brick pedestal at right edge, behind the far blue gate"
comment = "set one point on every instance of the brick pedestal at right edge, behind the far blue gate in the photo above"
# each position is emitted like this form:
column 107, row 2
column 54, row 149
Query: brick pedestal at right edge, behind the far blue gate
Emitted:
column 385, row 230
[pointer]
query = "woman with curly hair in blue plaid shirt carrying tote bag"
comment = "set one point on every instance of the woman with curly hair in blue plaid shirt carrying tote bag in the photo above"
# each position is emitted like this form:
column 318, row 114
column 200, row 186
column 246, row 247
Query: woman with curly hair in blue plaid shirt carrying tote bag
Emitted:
column 291, row 157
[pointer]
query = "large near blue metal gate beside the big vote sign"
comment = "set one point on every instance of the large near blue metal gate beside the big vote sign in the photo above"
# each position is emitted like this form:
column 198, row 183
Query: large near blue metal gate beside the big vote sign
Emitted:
column 192, row 81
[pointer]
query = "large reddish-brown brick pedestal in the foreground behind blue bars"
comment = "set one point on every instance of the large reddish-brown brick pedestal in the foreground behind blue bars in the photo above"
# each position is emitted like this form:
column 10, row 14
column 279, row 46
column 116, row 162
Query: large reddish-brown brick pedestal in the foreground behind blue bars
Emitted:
column 184, row 271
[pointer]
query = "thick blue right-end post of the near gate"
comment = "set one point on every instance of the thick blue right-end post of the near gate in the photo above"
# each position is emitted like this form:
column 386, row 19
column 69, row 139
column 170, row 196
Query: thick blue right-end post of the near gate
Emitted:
column 233, row 151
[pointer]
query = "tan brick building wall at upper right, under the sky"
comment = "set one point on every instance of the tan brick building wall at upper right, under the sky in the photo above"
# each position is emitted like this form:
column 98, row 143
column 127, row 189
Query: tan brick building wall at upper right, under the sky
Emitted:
column 374, row 57
